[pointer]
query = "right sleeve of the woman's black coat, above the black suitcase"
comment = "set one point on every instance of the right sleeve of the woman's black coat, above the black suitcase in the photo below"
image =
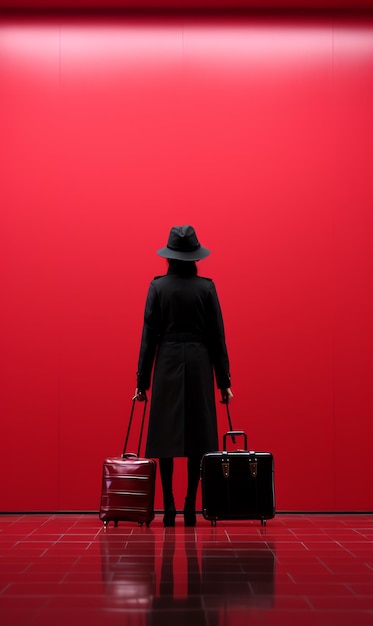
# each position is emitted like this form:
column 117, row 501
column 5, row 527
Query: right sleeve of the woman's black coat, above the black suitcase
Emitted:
column 218, row 348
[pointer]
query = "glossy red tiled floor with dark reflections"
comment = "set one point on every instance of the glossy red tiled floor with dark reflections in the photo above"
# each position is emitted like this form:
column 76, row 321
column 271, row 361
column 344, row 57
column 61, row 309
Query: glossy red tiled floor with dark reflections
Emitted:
column 299, row 570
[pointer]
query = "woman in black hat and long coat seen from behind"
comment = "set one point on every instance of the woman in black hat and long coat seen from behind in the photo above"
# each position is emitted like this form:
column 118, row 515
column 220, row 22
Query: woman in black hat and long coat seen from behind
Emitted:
column 183, row 336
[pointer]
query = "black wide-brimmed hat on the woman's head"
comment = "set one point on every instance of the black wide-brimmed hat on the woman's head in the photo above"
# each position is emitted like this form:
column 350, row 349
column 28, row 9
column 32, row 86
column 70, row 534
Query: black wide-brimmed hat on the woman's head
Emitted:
column 183, row 245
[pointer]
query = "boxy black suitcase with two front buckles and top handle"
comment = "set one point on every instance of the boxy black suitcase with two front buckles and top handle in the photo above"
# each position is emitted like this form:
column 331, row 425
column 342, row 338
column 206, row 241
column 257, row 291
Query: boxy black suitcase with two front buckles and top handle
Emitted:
column 237, row 485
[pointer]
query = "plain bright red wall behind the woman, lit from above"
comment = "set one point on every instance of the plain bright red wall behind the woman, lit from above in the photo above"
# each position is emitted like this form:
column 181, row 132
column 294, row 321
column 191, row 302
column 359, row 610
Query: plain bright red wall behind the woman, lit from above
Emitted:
column 257, row 131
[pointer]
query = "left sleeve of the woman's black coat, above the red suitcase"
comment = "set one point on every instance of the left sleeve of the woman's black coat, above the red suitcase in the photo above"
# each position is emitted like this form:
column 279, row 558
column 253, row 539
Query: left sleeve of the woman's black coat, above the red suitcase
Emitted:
column 149, row 339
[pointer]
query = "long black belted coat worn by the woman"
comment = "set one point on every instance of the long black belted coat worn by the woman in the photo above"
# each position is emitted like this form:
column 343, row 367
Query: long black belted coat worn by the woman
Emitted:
column 183, row 336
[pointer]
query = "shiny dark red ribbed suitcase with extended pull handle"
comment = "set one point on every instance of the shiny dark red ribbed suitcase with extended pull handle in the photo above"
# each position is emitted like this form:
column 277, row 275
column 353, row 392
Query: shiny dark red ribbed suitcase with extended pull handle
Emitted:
column 128, row 485
